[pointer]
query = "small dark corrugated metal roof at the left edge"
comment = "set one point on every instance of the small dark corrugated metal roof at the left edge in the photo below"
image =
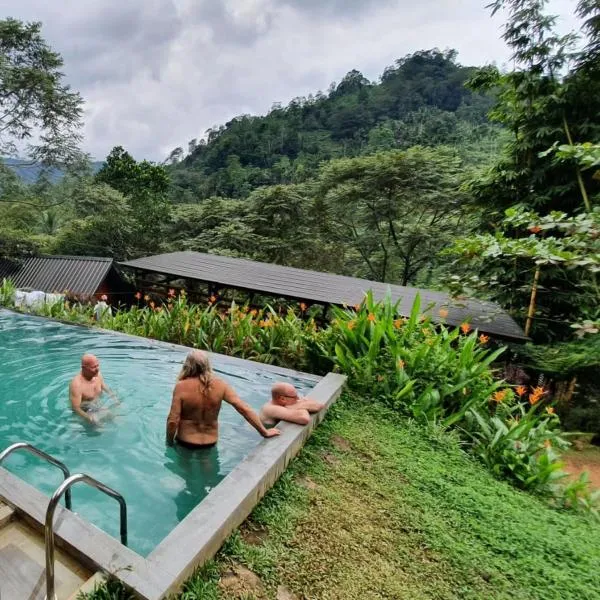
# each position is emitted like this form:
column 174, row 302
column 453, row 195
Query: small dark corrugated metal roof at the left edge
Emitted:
column 78, row 274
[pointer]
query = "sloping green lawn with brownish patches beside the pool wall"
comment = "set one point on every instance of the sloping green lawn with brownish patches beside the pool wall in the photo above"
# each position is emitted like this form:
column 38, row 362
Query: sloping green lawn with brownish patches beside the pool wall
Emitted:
column 376, row 507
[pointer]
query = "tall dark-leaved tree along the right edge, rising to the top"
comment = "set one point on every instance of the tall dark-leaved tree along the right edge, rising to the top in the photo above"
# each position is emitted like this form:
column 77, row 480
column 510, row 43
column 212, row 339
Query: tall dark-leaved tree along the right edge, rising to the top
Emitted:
column 550, row 103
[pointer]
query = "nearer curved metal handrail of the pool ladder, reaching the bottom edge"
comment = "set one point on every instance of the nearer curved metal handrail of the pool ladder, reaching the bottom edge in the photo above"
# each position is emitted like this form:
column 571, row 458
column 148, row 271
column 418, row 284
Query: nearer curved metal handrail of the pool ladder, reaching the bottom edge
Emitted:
column 49, row 524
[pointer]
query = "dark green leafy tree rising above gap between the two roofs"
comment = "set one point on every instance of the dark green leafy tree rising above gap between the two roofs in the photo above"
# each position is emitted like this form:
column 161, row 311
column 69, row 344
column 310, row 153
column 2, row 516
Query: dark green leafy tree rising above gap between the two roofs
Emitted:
column 144, row 186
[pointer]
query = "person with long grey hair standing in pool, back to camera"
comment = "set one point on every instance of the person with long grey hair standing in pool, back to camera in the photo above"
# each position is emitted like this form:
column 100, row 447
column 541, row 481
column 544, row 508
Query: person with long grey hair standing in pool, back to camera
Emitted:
column 197, row 397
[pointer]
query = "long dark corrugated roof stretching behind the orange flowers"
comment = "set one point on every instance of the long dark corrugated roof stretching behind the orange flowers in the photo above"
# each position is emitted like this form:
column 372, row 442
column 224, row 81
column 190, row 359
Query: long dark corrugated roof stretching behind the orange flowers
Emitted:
column 314, row 286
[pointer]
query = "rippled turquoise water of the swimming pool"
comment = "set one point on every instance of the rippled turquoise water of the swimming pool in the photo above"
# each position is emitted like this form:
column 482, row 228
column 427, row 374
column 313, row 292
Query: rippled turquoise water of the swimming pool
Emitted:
column 161, row 484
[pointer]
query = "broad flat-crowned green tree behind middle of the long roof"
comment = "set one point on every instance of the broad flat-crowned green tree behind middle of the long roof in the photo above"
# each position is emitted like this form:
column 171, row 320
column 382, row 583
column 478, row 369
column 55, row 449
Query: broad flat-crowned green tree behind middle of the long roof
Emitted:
column 397, row 209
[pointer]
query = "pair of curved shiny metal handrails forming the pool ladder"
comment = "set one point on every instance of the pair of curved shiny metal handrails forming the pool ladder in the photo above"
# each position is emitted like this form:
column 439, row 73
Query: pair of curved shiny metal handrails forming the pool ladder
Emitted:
column 65, row 488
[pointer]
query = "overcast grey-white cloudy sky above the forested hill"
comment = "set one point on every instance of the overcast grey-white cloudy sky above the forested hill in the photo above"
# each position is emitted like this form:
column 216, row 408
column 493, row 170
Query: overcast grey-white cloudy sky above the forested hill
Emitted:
column 157, row 73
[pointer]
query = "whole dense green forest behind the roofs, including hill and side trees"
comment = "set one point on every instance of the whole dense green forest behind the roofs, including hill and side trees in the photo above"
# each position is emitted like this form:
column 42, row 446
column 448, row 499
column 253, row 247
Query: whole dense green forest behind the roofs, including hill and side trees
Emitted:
column 469, row 179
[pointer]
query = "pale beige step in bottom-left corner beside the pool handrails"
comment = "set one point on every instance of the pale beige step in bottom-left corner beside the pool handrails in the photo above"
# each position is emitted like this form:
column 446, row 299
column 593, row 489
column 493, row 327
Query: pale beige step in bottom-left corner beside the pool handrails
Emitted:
column 22, row 564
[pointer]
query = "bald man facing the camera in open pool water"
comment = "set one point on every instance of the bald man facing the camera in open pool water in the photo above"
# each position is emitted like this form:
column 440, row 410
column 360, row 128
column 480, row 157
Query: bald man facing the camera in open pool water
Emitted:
column 86, row 388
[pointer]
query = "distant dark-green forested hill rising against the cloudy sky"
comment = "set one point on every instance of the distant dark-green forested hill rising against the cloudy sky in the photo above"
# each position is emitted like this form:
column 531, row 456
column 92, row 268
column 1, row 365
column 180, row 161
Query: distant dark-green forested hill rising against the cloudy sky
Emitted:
column 420, row 100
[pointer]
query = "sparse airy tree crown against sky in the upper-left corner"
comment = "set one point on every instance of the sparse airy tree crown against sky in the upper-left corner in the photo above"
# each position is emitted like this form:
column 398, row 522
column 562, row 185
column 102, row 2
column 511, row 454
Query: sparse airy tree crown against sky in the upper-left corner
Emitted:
column 34, row 101
